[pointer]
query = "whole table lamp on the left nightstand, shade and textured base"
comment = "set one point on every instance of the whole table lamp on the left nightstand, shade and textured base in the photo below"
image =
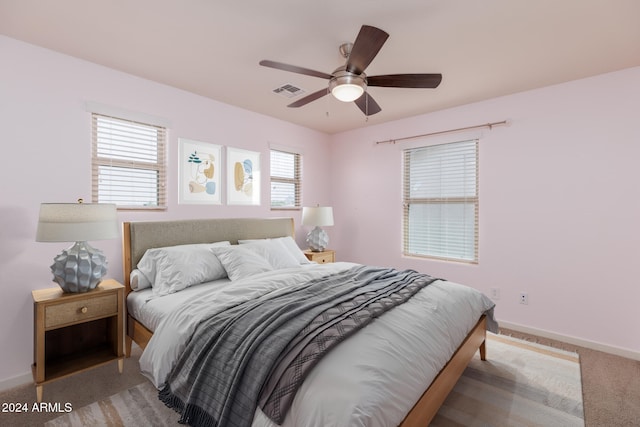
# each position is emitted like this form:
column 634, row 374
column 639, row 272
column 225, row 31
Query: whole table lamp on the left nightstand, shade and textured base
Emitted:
column 80, row 267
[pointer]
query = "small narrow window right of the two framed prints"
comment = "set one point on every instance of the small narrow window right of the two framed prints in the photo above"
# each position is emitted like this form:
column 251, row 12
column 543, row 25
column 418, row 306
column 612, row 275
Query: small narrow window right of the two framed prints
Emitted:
column 285, row 180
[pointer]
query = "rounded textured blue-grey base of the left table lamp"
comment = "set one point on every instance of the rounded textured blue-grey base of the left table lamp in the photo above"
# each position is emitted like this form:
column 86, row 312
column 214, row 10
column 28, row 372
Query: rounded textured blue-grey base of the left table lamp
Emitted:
column 79, row 268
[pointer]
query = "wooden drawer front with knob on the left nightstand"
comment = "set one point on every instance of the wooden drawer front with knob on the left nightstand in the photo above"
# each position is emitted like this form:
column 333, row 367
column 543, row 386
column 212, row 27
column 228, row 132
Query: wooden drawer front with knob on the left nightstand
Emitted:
column 79, row 310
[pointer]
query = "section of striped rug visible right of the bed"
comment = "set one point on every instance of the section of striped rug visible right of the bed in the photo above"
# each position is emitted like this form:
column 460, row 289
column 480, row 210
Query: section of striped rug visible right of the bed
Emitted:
column 520, row 384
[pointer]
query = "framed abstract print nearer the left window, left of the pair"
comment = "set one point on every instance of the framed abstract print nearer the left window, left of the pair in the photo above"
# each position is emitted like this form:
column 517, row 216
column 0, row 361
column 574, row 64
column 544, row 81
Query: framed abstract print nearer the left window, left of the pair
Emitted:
column 200, row 172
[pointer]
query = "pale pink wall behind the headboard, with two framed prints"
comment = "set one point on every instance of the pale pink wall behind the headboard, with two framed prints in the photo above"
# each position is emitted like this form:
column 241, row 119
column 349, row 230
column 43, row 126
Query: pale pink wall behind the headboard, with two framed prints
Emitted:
column 46, row 158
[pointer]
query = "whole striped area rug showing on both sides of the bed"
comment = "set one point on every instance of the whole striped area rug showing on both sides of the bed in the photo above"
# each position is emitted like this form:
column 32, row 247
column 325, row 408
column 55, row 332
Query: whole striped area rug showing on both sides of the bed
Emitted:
column 520, row 384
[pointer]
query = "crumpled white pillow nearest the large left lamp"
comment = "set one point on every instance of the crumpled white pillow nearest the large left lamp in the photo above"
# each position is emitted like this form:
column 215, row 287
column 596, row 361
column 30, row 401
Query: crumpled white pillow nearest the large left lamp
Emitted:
column 173, row 268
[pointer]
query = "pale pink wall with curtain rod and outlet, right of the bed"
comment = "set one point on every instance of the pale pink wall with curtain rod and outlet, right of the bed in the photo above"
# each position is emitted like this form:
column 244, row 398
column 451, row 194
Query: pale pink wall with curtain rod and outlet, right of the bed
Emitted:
column 559, row 204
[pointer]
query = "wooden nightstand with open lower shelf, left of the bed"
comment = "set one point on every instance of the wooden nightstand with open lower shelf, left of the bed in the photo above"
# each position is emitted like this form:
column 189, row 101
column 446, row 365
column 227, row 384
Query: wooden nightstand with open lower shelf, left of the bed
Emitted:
column 75, row 332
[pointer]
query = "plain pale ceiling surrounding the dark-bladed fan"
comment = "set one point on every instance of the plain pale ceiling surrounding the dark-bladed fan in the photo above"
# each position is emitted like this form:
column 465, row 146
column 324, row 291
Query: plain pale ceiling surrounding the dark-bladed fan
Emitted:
column 483, row 48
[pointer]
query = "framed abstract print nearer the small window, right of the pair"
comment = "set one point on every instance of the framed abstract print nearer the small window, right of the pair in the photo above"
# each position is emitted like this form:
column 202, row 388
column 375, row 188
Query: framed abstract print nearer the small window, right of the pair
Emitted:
column 243, row 177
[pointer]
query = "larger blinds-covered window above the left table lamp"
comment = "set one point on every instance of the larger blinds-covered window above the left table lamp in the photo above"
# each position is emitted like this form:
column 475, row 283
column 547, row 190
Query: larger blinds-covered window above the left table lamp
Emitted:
column 128, row 163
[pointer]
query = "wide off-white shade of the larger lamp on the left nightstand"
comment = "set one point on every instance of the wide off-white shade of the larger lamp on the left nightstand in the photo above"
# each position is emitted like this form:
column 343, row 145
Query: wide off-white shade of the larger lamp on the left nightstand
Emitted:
column 76, row 222
